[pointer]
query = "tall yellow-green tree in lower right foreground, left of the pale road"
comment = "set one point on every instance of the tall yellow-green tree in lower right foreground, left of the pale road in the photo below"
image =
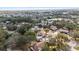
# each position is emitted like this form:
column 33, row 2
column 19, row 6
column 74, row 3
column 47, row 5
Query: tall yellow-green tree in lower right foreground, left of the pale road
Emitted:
column 61, row 40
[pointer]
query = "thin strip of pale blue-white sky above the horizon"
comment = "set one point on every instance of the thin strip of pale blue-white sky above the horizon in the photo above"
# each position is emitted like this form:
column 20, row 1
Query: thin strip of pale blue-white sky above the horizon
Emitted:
column 37, row 8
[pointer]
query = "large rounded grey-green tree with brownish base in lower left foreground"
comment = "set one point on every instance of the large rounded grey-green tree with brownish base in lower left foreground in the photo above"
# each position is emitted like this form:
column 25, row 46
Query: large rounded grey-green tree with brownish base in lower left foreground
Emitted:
column 17, row 42
